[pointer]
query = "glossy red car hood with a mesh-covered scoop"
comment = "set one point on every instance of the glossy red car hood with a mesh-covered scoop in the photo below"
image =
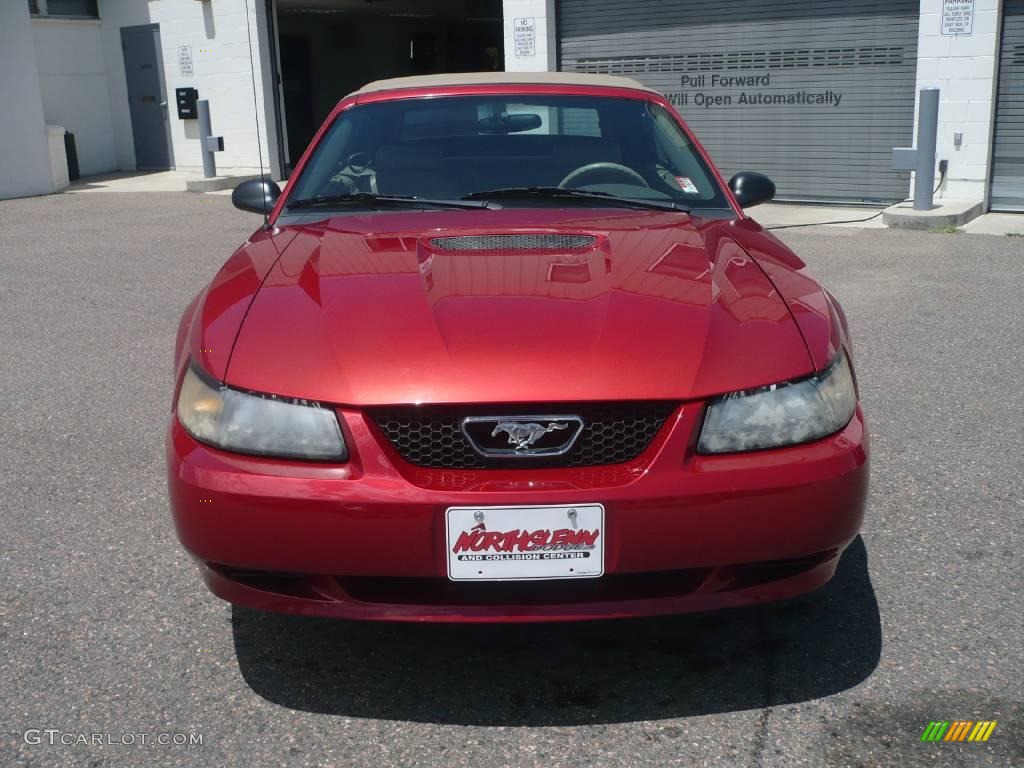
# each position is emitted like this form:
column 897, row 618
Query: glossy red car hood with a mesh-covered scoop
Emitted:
column 372, row 310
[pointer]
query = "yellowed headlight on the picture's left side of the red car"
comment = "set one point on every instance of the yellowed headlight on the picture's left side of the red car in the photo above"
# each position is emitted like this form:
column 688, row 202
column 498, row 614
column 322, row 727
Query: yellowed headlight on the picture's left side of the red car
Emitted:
column 248, row 423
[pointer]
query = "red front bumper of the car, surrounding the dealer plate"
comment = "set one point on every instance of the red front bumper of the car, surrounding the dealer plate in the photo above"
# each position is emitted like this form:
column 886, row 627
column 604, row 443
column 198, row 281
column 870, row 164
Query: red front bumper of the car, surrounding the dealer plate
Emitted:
column 366, row 539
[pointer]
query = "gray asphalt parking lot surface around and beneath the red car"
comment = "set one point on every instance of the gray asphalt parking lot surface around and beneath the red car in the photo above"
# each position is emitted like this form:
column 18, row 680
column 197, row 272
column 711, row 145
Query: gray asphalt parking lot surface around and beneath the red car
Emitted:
column 107, row 629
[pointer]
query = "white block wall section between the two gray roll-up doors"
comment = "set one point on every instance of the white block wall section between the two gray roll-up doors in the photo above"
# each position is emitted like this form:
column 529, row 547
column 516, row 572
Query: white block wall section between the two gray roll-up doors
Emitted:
column 964, row 68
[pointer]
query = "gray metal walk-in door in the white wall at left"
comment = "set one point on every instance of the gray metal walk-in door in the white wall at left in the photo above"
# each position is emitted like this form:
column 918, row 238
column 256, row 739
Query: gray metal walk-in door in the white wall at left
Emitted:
column 147, row 98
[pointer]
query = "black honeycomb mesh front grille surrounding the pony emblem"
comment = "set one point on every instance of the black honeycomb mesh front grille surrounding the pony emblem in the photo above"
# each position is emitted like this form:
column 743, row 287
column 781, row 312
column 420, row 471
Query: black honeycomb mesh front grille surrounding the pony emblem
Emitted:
column 431, row 436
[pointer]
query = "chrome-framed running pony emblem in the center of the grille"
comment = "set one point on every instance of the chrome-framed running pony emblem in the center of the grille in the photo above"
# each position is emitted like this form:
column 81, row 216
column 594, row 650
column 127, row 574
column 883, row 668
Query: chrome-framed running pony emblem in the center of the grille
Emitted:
column 522, row 436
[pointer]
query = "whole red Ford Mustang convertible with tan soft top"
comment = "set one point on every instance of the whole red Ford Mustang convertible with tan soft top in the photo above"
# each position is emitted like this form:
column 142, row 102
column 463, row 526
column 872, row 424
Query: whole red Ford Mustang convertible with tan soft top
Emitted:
column 508, row 349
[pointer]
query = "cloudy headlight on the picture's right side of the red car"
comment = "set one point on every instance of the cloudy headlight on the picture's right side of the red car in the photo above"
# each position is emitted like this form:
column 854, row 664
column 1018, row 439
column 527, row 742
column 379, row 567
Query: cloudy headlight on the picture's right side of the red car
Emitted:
column 782, row 414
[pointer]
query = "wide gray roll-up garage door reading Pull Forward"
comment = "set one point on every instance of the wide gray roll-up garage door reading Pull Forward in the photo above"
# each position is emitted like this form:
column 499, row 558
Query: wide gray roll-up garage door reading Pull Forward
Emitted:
column 816, row 95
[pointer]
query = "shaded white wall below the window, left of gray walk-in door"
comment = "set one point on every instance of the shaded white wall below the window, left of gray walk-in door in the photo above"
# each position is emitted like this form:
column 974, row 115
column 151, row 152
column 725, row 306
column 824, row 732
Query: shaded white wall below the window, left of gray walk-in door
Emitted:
column 73, row 84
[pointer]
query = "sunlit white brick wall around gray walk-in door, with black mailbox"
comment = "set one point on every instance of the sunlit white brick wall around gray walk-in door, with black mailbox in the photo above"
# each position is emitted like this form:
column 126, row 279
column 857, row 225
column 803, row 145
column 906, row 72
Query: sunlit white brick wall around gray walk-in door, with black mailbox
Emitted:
column 217, row 33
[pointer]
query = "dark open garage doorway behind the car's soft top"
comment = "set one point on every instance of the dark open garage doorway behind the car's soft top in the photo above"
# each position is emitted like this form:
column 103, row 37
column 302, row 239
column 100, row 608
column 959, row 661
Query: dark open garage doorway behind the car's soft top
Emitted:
column 330, row 49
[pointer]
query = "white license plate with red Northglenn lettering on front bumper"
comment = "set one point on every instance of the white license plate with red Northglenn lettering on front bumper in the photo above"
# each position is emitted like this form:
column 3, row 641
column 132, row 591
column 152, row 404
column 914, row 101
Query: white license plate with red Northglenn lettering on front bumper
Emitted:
column 490, row 544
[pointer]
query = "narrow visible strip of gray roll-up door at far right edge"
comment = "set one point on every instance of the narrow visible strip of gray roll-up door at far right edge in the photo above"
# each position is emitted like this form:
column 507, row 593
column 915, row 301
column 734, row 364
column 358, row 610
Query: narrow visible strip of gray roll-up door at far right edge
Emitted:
column 1008, row 143
